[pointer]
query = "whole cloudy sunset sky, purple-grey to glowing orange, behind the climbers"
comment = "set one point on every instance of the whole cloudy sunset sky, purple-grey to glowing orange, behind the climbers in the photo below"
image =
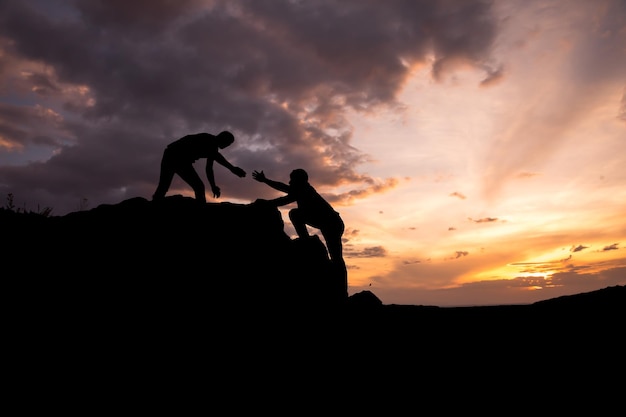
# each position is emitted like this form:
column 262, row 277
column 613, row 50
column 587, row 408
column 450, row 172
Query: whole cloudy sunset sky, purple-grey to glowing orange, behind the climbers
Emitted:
column 476, row 150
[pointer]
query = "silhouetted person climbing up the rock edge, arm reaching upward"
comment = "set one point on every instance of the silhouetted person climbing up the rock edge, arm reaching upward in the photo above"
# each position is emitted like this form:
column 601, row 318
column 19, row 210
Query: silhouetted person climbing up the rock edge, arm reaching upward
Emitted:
column 313, row 210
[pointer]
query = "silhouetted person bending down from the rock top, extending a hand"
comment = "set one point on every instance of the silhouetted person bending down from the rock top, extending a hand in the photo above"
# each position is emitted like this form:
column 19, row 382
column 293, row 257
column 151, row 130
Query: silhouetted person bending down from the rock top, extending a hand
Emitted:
column 179, row 156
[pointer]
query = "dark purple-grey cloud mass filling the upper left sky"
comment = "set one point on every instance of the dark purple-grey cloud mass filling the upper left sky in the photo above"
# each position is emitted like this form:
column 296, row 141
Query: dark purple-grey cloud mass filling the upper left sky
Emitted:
column 126, row 78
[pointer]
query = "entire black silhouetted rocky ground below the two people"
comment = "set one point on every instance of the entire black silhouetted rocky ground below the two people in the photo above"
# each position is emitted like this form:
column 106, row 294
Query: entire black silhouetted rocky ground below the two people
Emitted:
column 141, row 306
